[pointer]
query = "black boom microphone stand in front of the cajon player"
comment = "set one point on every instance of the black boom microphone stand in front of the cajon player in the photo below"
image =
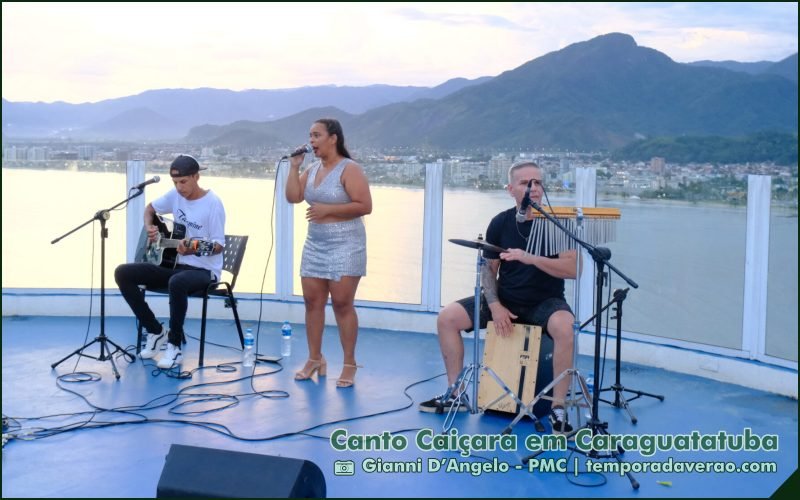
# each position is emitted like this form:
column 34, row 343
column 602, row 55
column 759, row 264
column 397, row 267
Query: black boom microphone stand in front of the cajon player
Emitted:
column 601, row 256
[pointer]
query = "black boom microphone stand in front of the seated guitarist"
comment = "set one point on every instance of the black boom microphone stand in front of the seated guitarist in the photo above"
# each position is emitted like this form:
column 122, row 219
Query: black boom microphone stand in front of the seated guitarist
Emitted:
column 106, row 353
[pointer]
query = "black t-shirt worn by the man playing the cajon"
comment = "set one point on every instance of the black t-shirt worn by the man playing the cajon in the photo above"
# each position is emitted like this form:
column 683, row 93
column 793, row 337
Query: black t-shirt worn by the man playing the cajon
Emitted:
column 520, row 284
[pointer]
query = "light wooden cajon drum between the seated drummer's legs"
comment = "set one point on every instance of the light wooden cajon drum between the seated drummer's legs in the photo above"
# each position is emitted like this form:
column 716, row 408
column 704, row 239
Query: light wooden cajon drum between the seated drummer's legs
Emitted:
column 518, row 361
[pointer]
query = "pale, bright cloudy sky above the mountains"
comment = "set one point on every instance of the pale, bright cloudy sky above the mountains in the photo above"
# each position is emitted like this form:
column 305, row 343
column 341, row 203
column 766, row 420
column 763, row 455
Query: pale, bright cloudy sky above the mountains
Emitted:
column 80, row 52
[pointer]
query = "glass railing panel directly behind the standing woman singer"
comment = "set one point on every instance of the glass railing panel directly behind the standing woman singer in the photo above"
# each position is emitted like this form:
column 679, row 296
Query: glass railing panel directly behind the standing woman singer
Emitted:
column 394, row 234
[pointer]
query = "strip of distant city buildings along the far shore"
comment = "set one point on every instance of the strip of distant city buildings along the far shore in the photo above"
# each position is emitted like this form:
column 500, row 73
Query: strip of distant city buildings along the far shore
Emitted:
column 407, row 166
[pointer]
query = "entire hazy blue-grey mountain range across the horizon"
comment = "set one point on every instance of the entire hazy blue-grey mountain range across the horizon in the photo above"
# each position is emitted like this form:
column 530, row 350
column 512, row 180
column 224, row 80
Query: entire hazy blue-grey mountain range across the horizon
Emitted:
column 599, row 94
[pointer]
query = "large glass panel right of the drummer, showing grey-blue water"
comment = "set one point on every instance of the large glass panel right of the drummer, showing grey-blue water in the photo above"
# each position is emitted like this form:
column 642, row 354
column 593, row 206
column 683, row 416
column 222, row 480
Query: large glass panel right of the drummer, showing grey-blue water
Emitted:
column 688, row 260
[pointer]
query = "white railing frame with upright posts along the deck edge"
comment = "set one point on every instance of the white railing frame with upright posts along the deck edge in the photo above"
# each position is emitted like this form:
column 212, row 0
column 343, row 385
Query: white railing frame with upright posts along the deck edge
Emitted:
column 284, row 304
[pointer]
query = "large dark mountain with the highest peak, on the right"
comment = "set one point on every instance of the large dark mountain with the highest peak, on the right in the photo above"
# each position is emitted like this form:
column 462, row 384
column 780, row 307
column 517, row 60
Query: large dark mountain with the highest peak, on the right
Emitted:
column 598, row 94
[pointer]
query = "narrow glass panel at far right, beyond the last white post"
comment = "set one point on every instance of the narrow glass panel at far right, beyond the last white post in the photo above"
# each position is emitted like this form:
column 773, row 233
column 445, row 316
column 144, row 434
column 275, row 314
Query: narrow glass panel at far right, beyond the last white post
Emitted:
column 782, row 282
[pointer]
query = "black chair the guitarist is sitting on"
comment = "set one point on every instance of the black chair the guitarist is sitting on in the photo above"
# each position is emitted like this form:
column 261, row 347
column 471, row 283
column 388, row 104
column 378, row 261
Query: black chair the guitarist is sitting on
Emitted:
column 232, row 261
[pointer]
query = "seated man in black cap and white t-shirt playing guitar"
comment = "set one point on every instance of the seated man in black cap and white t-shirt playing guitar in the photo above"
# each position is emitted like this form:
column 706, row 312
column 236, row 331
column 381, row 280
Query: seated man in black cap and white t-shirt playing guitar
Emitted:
column 199, row 259
